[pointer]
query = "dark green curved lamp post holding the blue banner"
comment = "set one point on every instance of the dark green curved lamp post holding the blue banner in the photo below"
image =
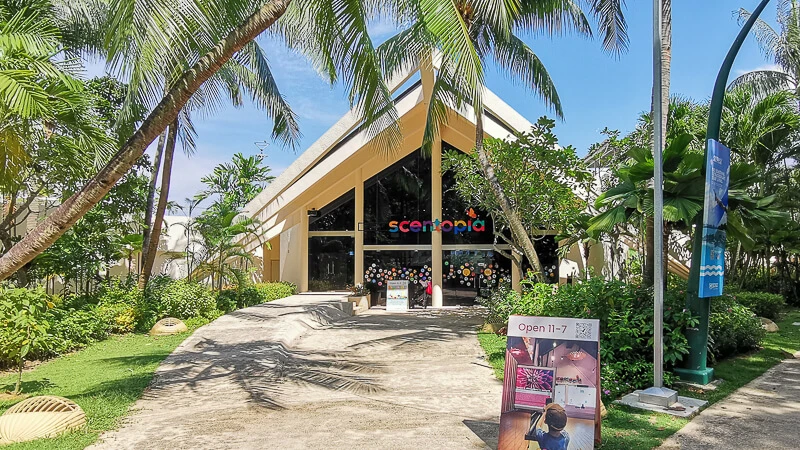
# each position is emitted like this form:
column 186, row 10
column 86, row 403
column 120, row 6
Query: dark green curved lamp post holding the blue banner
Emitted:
column 695, row 369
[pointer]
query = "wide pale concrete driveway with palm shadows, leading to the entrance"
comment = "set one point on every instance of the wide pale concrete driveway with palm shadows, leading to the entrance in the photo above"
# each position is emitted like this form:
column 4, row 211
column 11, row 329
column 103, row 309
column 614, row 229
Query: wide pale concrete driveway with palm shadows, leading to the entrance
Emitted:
column 298, row 373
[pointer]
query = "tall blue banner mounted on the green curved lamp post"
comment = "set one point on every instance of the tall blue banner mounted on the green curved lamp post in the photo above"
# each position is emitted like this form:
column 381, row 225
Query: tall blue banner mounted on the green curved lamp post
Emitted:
column 715, row 219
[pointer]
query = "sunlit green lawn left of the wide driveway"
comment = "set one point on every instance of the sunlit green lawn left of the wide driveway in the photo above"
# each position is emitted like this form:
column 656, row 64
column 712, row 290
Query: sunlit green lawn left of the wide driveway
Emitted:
column 104, row 379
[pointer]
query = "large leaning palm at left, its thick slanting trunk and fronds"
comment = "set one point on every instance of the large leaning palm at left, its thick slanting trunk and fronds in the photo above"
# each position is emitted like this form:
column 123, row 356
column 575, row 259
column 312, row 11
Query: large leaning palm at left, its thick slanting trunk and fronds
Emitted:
column 340, row 44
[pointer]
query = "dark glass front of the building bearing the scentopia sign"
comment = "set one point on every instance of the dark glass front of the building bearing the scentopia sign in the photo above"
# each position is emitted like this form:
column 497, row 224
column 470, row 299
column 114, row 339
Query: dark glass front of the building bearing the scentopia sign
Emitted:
column 471, row 267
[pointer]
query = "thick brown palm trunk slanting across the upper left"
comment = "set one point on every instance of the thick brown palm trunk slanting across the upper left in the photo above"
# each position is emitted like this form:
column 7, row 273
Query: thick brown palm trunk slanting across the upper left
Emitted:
column 57, row 223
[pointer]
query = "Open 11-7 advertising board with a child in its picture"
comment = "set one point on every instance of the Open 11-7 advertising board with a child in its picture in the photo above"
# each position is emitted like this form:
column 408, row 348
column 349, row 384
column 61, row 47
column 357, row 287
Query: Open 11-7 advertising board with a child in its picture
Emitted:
column 551, row 388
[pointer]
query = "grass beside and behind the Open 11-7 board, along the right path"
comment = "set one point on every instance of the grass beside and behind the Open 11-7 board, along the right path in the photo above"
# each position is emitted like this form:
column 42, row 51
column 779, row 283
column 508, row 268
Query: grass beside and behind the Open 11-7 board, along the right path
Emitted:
column 630, row 429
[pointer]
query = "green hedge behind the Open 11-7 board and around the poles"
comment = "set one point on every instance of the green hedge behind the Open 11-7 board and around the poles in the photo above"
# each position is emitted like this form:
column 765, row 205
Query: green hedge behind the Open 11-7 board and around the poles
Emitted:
column 625, row 313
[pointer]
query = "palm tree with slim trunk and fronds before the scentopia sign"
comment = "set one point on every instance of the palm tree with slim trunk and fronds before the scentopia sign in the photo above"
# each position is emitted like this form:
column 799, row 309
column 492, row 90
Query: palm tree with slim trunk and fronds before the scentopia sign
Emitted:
column 466, row 33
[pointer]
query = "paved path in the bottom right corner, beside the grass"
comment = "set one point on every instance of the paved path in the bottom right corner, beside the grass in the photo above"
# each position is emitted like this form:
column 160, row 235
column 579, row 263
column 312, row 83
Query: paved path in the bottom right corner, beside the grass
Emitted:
column 764, row 414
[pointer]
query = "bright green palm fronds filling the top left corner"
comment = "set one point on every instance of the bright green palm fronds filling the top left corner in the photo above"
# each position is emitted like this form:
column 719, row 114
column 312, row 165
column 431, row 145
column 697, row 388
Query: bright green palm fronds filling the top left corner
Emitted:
column 40, row 94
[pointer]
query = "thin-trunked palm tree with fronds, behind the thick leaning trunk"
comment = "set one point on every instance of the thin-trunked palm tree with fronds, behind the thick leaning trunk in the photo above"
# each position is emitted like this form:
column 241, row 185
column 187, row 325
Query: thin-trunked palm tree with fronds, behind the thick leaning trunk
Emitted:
column 247, row 73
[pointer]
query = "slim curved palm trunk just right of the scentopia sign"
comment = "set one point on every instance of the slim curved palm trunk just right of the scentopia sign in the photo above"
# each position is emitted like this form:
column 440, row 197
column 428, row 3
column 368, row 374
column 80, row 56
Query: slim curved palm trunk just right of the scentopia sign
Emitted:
column 520, row 234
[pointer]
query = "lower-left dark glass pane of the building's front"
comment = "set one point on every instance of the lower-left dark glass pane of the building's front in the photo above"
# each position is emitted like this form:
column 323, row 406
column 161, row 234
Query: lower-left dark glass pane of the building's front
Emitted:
column 331, row 263
